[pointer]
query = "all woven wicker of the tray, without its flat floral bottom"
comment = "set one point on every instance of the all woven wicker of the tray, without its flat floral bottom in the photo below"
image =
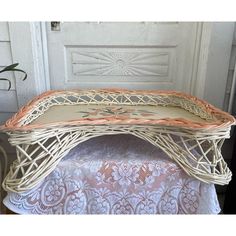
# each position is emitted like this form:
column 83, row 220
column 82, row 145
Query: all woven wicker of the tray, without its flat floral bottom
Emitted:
column 196, row 147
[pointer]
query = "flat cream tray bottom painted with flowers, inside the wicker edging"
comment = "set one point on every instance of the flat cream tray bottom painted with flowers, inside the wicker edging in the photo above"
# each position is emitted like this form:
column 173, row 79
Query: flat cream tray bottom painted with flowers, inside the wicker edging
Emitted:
column 81, row 111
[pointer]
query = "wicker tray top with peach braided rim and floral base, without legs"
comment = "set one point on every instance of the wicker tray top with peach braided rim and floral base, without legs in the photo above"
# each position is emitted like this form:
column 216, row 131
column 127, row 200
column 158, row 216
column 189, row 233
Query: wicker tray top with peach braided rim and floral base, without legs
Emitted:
column 118, row 107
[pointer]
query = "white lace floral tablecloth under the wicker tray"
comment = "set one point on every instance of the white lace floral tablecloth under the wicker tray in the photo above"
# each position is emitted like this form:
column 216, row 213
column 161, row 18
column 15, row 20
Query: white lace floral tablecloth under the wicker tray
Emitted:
column 117, row 174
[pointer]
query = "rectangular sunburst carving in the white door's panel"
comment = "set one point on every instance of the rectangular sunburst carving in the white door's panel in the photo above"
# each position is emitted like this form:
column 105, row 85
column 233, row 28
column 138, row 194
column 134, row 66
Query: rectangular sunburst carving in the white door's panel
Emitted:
column 120, row 63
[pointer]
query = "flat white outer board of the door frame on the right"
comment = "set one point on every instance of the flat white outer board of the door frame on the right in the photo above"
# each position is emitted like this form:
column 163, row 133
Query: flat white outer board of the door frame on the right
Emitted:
column 218, row 63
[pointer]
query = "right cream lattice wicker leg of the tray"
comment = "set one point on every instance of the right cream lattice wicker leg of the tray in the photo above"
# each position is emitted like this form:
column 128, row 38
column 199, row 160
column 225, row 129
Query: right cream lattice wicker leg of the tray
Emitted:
column 201, row 159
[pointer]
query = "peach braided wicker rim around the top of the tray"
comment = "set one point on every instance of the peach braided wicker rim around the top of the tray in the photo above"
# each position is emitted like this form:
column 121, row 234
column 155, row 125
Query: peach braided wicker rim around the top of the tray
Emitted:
column 223, row 118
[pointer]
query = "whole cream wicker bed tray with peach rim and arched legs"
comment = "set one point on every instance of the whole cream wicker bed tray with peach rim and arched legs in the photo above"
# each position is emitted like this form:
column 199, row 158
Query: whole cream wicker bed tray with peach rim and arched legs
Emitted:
column 188, row 130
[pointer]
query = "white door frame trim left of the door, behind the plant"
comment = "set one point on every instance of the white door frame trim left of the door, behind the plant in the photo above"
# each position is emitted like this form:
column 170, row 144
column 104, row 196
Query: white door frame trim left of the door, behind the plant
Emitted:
column 32, row 56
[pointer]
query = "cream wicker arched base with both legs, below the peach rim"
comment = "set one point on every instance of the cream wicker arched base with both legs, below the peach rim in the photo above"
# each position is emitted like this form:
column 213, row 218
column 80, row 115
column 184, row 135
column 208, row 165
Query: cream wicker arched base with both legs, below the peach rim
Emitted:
column 38, row 154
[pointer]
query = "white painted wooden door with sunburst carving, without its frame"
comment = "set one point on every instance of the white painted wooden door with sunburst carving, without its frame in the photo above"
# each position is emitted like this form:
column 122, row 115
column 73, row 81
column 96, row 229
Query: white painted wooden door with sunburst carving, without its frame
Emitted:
column 129, row 55
